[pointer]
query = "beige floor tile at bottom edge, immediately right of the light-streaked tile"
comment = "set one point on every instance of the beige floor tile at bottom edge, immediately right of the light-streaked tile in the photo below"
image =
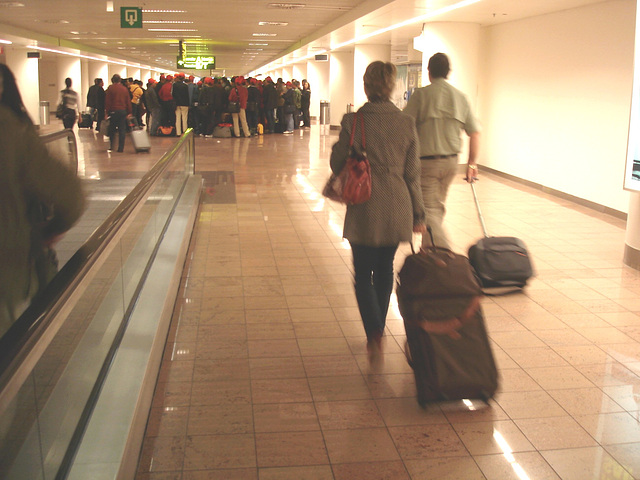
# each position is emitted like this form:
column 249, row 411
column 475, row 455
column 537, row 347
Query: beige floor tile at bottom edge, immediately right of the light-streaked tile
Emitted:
column 581, row 463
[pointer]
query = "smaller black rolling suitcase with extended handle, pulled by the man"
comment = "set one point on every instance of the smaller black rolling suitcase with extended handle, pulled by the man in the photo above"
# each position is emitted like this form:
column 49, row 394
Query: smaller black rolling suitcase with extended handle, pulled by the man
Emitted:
column 502, row 263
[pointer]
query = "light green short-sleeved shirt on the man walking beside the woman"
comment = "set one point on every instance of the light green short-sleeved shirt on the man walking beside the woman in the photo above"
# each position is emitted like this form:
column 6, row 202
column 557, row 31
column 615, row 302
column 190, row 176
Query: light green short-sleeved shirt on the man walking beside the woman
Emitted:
column 441, row 111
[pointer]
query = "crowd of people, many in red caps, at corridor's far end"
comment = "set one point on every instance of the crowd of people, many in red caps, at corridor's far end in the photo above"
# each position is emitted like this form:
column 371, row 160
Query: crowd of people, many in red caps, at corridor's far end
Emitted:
column 176, row 102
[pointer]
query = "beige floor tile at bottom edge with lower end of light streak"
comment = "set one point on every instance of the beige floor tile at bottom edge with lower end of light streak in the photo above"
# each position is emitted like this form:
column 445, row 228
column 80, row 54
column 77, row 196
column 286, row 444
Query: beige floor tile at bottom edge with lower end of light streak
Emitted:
column 516, row 466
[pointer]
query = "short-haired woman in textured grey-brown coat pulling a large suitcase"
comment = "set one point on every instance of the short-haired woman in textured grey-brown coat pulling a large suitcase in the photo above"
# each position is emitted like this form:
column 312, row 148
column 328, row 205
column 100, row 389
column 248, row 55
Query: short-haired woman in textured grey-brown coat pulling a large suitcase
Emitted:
column 395, row 210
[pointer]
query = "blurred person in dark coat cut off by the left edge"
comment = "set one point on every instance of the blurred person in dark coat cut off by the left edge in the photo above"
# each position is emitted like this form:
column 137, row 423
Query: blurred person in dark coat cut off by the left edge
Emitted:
column 30, row 181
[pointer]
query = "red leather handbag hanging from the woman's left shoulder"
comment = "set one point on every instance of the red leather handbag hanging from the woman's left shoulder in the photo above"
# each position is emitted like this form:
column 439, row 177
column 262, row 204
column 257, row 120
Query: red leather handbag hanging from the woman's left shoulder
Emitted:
column 352, row 185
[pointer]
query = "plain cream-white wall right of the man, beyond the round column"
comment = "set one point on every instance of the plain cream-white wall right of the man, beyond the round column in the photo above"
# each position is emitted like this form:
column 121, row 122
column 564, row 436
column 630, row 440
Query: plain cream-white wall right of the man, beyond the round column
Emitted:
column 554, row 99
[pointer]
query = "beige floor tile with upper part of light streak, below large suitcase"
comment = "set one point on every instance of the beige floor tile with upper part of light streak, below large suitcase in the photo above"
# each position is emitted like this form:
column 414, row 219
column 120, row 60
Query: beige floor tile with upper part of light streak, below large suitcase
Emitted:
column 486, row 438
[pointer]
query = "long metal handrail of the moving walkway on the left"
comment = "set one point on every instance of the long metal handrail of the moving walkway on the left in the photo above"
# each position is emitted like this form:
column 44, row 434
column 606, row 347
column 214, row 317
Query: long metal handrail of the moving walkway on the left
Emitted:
column 27, row 338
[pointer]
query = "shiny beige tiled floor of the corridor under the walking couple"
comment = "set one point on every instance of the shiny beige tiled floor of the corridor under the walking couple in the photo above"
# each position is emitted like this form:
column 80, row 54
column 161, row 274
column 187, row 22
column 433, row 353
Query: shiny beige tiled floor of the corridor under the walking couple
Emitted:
column 266, row 376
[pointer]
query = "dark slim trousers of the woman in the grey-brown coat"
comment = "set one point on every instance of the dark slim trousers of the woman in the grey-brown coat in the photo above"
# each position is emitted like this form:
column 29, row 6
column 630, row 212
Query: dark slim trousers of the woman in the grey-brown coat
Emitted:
column 373, row 268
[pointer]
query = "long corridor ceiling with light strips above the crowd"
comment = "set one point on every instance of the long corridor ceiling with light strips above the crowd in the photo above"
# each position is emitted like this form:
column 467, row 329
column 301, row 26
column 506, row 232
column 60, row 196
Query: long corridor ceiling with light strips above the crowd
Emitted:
column 244, row 35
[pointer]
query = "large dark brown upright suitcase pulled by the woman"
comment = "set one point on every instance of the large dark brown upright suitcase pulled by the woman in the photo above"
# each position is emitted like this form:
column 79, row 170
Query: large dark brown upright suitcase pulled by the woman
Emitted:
column 447, row 344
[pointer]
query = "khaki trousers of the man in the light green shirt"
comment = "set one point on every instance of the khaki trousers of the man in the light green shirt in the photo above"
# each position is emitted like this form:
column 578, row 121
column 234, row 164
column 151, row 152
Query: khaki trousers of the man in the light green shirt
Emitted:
column 436, row 178
